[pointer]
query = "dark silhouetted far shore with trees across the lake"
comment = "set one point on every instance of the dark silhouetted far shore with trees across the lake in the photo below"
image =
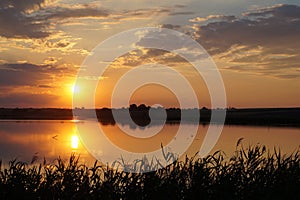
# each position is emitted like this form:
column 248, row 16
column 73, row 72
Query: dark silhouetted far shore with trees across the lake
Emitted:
column 140, row 115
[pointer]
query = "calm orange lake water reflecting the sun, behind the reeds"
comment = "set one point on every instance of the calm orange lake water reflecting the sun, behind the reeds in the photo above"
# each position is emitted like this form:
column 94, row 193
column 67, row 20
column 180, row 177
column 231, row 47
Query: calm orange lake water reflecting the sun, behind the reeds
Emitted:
column 50, row 139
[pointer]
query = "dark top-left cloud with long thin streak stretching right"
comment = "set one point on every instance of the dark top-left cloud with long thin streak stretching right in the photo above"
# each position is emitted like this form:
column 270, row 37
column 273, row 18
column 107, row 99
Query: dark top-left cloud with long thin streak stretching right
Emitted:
column 38, row 18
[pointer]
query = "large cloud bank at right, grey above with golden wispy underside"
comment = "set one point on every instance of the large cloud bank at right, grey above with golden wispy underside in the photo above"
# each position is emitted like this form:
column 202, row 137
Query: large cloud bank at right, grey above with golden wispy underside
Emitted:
column 264, row 41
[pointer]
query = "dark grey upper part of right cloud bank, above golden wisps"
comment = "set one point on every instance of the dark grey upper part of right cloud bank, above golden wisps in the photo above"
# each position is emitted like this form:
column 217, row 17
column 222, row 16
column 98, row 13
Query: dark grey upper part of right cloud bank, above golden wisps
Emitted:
column 275, row 27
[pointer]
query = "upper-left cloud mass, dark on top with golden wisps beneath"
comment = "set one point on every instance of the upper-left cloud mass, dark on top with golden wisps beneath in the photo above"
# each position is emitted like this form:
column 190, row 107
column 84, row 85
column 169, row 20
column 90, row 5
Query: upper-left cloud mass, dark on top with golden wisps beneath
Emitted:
column 39, row 26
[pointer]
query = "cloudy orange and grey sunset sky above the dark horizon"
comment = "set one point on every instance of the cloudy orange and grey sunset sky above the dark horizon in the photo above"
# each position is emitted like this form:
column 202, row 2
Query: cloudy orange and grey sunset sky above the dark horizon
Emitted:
column 254, row 43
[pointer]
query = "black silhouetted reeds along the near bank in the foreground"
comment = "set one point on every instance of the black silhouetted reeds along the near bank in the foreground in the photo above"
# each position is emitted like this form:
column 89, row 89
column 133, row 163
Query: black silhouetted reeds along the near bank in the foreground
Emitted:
column 250, row 173
